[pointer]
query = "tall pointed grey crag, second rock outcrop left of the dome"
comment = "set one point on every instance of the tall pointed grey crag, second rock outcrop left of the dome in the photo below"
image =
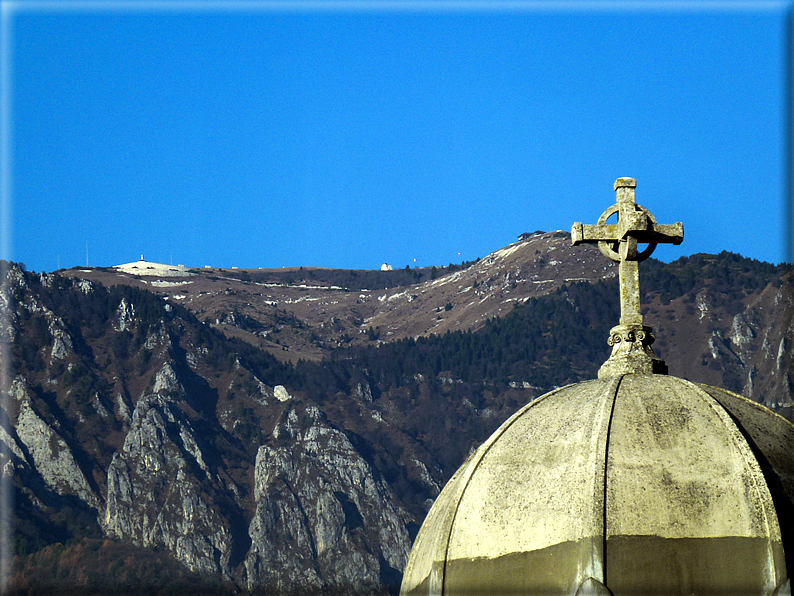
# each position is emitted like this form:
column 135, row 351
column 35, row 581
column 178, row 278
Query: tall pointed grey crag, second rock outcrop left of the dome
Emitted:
column 158, row 482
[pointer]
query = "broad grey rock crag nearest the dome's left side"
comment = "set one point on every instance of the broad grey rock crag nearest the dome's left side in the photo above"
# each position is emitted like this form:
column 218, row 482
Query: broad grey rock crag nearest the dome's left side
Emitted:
column 318, row 504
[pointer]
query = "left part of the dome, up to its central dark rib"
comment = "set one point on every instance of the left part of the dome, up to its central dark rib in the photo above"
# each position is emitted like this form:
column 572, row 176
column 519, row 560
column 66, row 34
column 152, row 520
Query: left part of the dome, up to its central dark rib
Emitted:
column 573, row 420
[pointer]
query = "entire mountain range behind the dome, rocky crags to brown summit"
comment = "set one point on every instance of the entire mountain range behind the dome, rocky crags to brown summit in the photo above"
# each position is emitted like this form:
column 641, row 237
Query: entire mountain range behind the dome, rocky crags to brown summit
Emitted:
column 226, row 435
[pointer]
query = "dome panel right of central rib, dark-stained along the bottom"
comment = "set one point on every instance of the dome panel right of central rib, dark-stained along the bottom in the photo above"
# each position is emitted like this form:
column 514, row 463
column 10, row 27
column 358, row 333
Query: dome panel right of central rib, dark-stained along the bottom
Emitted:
column 684, row 487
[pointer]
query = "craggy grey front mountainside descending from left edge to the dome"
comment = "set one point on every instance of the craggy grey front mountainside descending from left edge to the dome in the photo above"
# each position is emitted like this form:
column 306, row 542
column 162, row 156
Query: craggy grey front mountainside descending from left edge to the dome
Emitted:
column 233, row 477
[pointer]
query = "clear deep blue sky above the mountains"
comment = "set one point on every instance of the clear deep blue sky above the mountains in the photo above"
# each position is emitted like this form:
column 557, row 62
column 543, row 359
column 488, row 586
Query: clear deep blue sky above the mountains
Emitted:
column 349, row 135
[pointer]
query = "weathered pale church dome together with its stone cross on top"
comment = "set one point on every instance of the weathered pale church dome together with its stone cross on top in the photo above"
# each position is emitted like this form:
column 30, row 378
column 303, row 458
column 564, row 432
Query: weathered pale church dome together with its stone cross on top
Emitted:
column 632, row 483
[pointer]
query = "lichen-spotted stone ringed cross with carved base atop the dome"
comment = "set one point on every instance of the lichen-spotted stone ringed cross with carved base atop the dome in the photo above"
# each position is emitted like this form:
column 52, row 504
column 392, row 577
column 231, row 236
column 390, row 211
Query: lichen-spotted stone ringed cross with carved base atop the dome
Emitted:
column 630, row 340
